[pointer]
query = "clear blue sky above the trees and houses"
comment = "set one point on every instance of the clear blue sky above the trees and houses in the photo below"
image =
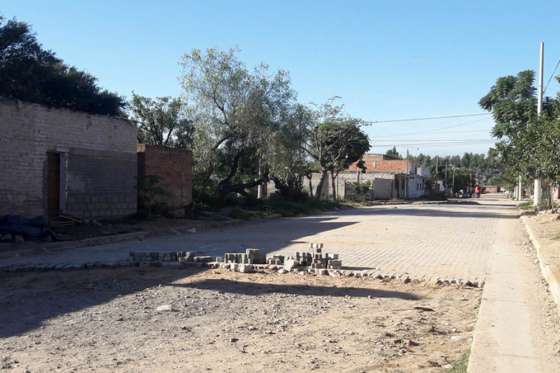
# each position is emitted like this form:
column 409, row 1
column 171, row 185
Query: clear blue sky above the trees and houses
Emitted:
column 386, row 59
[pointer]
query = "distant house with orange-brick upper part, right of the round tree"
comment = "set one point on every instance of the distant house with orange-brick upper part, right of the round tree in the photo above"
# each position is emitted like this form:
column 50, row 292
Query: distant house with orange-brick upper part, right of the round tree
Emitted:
column 390, row 179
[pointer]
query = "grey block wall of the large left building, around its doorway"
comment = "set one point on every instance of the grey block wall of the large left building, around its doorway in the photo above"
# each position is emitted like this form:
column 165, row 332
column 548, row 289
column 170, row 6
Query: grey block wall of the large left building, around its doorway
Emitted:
column 99, row 161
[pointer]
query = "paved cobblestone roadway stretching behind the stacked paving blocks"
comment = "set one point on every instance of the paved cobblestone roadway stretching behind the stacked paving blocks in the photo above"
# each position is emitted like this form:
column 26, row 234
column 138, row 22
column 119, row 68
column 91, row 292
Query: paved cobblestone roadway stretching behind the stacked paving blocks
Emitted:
column 447, row 240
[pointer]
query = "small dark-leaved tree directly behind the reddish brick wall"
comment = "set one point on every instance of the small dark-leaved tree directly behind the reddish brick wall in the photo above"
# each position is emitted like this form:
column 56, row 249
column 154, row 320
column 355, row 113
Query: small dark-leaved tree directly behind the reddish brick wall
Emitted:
column 162, row 121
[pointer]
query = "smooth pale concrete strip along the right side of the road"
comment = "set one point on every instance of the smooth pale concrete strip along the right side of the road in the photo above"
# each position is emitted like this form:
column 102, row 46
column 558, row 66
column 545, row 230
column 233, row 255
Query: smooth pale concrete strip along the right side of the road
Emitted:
column 517, row 327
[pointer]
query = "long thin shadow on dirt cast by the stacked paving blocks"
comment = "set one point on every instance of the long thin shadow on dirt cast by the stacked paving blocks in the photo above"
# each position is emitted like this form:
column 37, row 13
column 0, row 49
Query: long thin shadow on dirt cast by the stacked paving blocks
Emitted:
column 255, row 289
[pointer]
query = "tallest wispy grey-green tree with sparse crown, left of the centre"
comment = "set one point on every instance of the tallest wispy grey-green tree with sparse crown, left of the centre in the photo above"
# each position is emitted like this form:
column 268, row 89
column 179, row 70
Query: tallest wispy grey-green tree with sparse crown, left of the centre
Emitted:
column 239, row 112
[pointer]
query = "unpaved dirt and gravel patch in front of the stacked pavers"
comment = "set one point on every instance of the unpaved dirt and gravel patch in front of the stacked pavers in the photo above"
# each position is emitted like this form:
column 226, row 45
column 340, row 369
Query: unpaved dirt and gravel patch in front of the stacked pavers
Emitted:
column 161, row 320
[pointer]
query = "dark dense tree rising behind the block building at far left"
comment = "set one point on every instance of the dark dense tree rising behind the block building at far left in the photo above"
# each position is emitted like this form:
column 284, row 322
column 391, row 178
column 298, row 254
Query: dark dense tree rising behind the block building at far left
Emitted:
column 31, row 73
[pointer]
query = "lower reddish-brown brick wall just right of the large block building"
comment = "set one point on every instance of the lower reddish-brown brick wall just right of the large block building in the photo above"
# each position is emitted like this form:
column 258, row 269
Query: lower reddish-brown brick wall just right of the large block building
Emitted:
column 174, row 168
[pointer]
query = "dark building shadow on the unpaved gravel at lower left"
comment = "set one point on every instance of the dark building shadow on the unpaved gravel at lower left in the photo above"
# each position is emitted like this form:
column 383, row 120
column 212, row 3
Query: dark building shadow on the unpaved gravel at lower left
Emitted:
column 28, row 300
